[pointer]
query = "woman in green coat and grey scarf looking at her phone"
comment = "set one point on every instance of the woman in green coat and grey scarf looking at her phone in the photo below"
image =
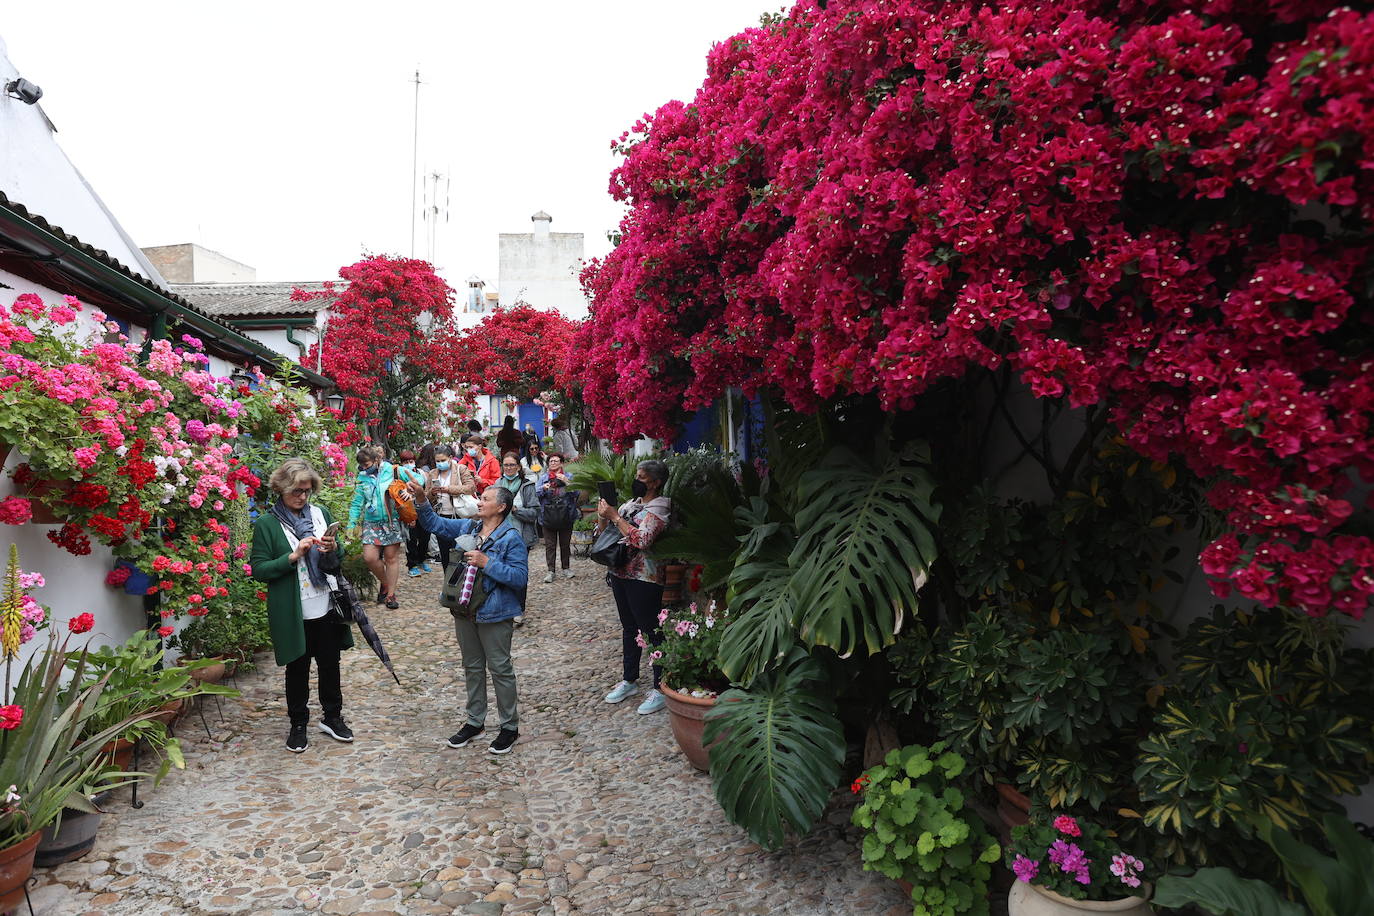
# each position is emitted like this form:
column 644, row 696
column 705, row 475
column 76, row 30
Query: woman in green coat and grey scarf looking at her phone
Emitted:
column 288, row 546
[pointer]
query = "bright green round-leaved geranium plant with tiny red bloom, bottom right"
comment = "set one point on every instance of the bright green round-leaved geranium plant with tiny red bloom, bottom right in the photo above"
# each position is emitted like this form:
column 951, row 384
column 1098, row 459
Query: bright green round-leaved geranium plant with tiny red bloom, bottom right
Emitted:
column 920, row 833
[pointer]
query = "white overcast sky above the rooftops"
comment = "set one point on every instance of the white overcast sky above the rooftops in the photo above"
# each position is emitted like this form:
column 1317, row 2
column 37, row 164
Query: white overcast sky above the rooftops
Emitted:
column 280, row 134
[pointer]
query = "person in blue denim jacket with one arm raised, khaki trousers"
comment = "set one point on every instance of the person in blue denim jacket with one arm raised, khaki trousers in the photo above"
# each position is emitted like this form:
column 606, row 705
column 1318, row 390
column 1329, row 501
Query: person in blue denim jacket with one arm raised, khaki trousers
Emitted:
column 487, row 642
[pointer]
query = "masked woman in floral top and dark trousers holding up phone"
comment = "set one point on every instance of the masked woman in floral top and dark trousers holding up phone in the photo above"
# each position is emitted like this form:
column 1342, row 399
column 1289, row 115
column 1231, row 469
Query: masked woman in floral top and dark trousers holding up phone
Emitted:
column 638, row 584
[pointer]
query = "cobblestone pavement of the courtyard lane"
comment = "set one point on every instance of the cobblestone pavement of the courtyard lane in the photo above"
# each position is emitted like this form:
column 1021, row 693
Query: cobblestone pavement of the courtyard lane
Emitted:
column 594, row 812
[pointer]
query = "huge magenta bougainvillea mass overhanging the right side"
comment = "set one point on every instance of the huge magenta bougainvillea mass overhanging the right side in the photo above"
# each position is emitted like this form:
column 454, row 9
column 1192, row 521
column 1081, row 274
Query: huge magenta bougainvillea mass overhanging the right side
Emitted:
column 1162, row 208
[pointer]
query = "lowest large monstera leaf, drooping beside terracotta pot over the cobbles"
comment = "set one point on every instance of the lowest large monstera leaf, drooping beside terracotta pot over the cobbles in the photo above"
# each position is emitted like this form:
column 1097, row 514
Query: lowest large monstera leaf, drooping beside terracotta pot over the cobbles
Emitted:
column 777, row 751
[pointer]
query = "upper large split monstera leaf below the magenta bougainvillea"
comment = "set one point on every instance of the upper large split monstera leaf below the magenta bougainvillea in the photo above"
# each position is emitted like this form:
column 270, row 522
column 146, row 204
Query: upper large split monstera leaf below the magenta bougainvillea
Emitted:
column 864, row 545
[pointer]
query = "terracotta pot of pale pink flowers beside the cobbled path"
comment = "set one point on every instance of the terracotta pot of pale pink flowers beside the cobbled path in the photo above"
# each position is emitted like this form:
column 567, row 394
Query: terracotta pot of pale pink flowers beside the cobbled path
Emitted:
column 692, row 680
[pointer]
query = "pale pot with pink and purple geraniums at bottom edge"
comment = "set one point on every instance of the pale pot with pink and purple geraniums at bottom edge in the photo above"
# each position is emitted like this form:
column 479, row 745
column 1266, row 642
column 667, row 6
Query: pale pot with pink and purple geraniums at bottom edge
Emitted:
column 1068, row 866
